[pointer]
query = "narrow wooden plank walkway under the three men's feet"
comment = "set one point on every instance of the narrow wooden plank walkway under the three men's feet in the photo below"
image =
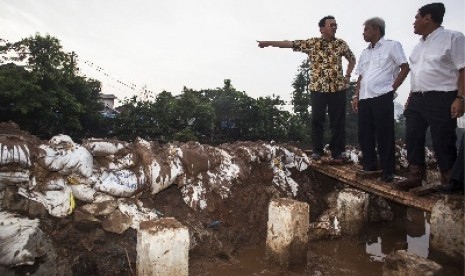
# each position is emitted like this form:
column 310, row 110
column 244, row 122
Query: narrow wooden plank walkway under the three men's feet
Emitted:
column 347, row 174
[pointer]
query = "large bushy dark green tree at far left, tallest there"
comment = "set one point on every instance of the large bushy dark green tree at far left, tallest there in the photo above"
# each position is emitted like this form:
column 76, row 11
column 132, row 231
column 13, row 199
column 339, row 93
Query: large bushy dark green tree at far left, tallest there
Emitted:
column 45, row 96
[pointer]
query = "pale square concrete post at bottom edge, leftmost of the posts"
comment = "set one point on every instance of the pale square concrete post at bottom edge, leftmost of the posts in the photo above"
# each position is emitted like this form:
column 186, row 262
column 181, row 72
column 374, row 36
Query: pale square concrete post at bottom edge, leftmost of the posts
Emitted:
column 162, row 248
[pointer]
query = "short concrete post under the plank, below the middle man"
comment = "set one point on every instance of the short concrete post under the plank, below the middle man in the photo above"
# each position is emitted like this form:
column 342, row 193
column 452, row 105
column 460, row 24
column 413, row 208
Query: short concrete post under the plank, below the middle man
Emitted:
column 352, row 210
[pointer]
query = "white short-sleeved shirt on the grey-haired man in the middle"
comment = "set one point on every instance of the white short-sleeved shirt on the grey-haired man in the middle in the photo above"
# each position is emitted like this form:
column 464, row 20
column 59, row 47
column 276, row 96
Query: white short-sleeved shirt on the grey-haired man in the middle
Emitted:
column 379, row 67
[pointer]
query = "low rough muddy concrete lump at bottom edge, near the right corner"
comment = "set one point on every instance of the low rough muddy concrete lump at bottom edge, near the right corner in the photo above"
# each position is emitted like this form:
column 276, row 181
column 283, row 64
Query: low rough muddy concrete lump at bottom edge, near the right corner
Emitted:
column 401, row 263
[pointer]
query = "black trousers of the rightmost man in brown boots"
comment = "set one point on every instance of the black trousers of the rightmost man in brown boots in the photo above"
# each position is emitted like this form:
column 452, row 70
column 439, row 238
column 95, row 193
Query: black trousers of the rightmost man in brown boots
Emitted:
column 431, row 109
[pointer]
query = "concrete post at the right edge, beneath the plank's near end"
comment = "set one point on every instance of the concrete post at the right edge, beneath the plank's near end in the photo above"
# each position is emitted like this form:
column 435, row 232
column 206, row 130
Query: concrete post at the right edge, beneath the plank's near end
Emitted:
column 448, row 228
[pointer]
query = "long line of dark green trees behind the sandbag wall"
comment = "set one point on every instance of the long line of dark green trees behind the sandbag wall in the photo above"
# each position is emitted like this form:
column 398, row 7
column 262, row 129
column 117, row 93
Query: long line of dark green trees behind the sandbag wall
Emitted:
column 42, row 91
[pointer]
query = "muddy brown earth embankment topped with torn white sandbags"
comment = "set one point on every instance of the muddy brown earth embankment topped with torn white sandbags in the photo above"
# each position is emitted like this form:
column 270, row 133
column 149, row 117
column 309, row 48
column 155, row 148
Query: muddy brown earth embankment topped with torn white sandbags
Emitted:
column 89, row 199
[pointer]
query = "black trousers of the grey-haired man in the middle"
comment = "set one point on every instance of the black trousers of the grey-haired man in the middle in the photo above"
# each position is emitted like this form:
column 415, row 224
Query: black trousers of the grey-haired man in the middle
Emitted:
column 376, row 132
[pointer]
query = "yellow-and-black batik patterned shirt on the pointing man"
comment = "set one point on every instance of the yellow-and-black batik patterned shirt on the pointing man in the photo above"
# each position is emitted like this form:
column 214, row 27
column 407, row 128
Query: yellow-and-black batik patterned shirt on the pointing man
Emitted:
column 325, row 60
